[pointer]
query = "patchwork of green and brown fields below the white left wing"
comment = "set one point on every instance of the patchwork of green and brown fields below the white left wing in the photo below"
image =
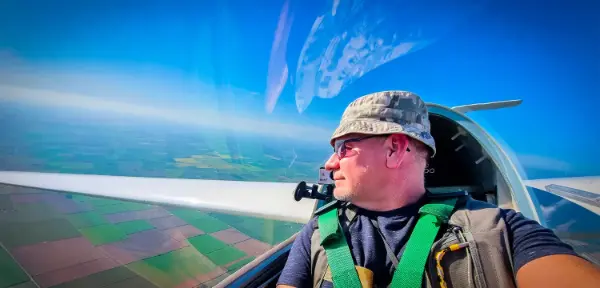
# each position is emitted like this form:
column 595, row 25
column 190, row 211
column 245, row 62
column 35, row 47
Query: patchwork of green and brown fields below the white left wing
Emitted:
column 52, row 239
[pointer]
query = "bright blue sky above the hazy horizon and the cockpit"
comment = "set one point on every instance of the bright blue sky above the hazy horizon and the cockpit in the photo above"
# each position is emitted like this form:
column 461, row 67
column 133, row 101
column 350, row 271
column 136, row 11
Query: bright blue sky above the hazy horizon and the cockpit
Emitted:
column 219, row 57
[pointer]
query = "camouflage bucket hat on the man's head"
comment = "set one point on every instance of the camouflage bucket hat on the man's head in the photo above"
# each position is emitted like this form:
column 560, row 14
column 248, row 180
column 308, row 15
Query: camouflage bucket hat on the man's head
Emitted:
column 388, row 112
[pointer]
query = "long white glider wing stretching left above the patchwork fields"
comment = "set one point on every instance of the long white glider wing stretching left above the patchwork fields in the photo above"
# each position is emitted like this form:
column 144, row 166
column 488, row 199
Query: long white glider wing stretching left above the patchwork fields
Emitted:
column 259, row 199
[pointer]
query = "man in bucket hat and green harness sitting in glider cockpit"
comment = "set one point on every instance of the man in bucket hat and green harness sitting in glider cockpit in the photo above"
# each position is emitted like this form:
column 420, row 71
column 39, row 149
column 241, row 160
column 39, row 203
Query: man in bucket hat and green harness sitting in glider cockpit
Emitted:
column 386, row 229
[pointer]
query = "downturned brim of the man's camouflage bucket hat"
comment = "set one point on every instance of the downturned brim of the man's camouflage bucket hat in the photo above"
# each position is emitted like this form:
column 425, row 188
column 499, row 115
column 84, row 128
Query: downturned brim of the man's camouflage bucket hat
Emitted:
column 375, row 127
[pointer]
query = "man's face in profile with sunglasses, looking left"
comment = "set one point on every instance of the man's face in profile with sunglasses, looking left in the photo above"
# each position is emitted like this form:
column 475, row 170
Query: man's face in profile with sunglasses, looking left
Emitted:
column 358, row 165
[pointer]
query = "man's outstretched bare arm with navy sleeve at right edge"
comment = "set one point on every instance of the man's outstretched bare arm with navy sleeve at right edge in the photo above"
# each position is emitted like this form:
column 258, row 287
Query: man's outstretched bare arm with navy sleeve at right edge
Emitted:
column 543, row 260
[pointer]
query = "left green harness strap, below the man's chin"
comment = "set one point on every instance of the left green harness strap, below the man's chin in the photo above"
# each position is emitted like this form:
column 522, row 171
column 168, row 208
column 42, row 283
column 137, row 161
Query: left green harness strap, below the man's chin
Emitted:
column 343, row 272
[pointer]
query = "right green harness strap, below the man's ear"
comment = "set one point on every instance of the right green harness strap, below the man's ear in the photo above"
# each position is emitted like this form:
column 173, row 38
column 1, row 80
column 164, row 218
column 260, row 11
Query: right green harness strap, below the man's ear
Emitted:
column 412, row 264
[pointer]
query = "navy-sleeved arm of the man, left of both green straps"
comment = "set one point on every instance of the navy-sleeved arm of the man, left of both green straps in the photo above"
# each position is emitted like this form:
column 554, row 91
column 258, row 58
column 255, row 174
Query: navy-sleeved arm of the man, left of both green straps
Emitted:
column 296, row 272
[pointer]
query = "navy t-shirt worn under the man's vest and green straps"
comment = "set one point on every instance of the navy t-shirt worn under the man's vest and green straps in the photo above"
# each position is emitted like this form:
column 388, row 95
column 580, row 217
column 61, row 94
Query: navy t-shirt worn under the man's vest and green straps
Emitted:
column 530, row 241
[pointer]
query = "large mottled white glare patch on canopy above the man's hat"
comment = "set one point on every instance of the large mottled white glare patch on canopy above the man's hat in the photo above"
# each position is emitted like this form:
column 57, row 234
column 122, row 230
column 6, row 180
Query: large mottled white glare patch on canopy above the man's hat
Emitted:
column 344, row 45
